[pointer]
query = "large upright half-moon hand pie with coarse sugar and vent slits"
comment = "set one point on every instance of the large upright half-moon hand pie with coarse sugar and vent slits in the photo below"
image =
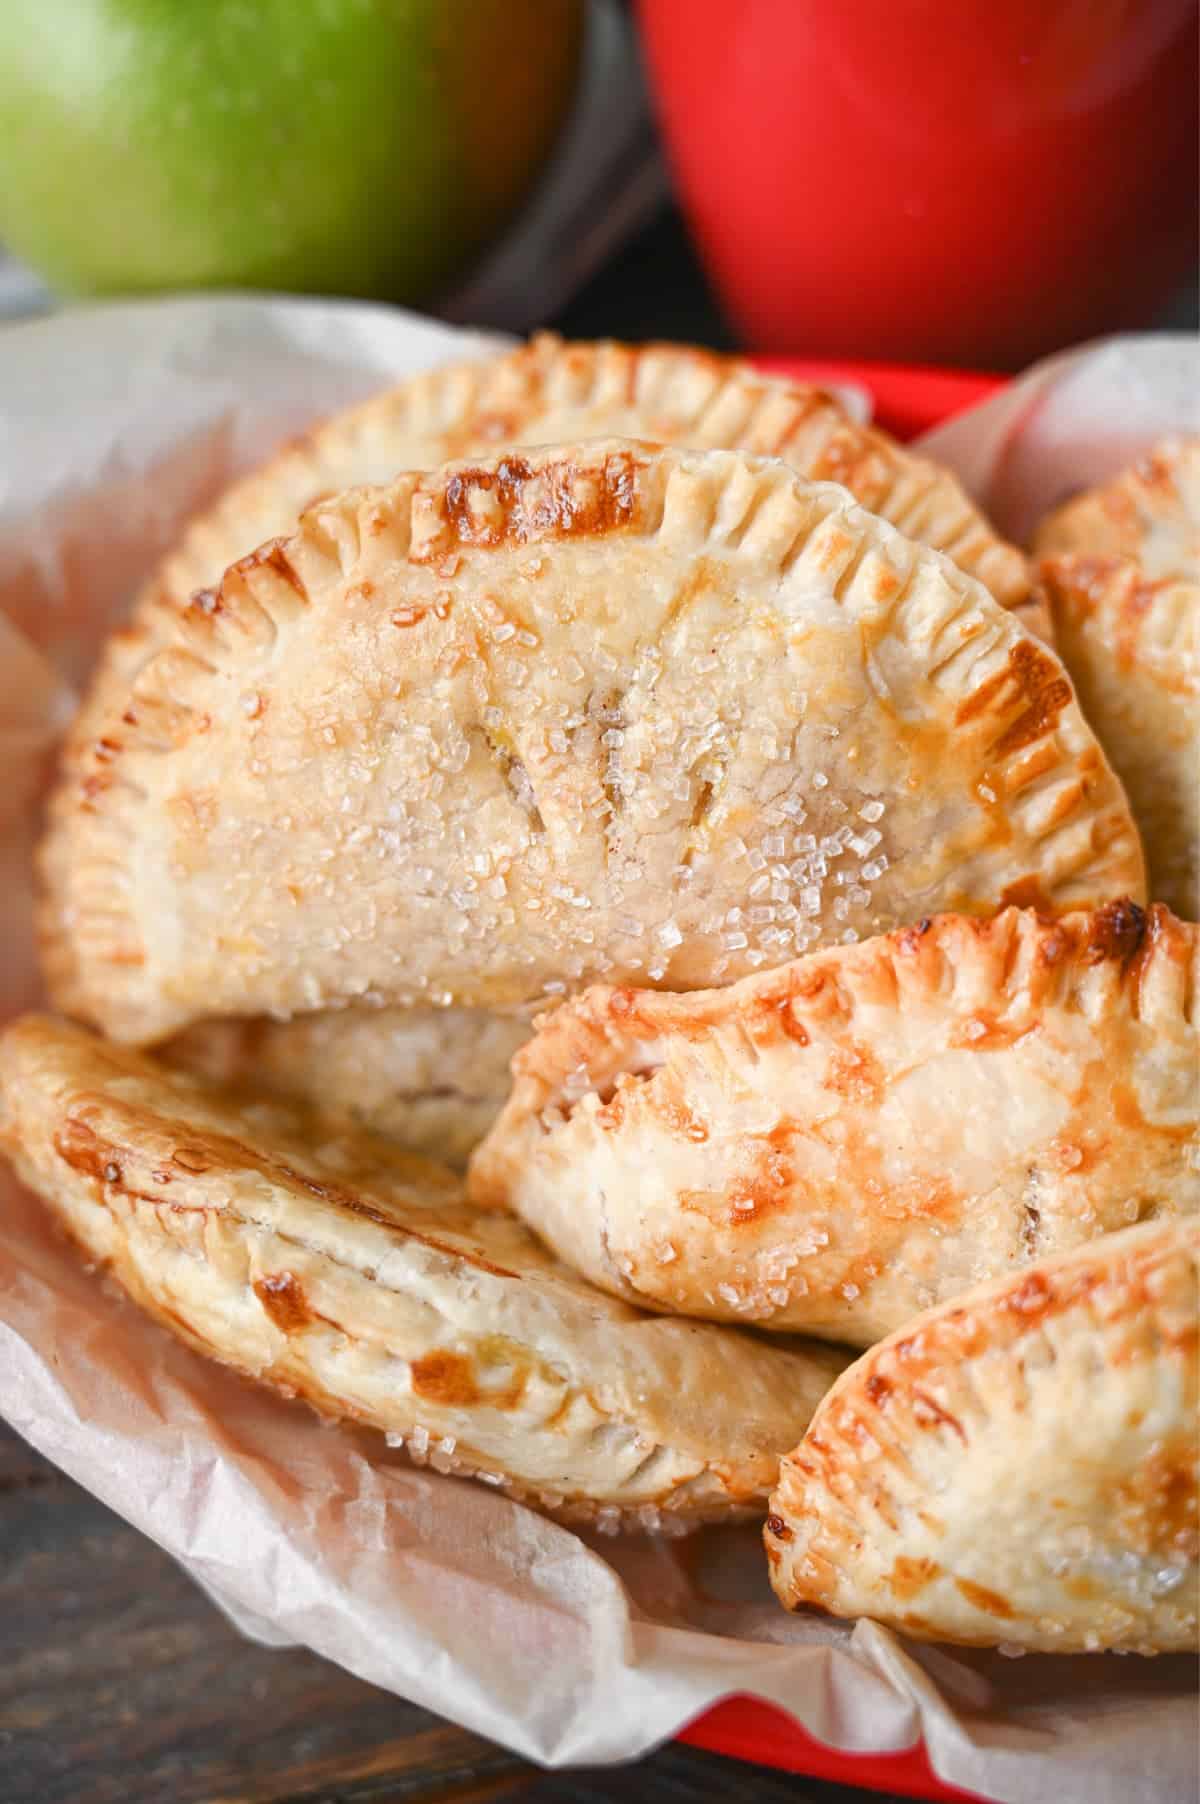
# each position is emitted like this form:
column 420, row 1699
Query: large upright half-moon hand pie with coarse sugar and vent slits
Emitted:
column 512, row 726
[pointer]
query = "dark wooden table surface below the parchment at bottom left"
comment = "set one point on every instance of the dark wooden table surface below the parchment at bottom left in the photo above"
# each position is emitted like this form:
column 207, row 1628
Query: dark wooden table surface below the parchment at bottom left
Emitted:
column 120, row 1684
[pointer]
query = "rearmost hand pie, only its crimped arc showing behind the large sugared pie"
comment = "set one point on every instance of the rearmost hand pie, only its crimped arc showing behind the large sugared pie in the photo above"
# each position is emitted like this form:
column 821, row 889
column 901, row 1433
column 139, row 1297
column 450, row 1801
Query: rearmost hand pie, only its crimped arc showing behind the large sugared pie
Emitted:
column 549, row 392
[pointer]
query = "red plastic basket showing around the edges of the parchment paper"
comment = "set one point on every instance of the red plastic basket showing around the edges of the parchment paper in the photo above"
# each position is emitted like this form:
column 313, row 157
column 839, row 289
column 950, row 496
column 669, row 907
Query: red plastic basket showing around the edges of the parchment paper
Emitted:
column 909, row 401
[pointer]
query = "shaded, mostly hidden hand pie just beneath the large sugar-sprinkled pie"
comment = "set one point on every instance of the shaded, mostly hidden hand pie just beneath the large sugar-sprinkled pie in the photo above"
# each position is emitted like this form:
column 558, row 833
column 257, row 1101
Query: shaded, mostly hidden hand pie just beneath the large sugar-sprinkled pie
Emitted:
column 430, row 1078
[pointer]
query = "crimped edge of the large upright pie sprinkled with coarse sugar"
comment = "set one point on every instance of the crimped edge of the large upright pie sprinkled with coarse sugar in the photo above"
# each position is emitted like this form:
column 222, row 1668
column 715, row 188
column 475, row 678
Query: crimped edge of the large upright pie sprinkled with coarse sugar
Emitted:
column 557, row 493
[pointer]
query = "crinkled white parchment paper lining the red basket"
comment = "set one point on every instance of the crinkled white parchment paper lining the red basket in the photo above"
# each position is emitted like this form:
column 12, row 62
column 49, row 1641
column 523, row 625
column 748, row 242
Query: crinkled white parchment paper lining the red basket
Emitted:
column 116, row 423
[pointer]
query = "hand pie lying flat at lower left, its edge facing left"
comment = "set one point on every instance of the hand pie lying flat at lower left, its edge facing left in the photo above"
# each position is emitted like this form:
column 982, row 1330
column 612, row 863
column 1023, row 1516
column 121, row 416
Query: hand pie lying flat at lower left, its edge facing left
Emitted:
column 329, row 1264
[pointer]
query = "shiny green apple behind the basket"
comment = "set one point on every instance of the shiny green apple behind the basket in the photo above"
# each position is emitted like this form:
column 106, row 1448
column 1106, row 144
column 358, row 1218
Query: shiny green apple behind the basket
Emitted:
column 342, row 147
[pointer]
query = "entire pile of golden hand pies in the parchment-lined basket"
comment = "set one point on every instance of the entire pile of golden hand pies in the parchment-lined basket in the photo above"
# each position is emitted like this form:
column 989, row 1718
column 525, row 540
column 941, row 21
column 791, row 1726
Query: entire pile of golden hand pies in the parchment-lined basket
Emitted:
column 660, row 695
